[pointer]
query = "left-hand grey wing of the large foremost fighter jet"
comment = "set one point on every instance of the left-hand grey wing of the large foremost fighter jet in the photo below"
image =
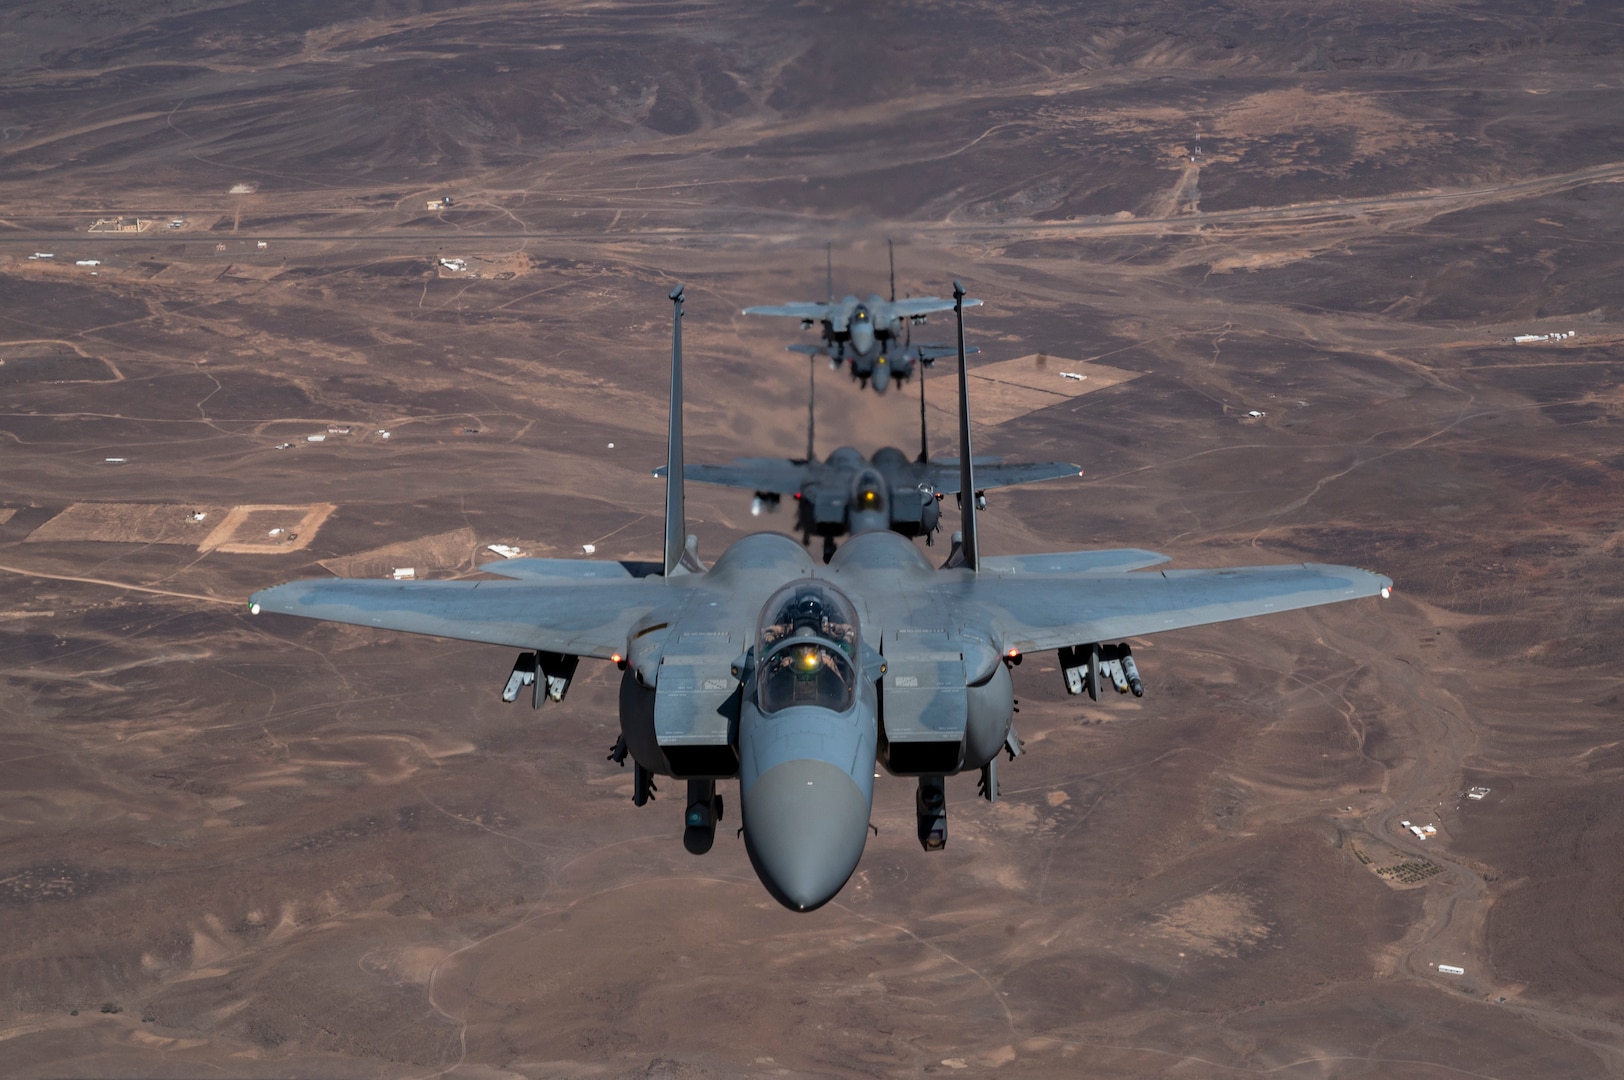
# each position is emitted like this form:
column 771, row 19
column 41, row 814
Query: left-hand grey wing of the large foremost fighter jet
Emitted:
column 584, row 620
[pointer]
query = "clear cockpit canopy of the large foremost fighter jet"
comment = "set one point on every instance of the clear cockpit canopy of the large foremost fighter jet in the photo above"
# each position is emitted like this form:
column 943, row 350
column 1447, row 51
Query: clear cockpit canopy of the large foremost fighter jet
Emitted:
column 805, row 649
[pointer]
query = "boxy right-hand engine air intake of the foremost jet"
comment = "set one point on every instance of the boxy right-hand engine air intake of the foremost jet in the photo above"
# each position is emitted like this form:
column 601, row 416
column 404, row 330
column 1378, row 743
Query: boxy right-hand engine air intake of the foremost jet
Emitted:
column 923, row 701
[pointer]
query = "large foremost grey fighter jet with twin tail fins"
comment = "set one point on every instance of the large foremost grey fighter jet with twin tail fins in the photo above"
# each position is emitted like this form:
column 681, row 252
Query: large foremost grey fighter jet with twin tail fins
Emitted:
column 800, row 680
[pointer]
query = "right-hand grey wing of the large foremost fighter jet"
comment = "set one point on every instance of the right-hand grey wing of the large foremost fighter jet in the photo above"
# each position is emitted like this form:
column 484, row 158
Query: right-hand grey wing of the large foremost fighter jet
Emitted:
column 1043, row 611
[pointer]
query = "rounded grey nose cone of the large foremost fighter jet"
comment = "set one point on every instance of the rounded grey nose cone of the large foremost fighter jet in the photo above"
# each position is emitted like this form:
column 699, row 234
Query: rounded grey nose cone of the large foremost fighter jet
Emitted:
column 805, row 827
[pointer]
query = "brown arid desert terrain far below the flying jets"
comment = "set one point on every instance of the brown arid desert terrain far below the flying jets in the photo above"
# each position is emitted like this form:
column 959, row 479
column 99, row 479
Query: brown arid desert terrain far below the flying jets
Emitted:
column 1292, row 246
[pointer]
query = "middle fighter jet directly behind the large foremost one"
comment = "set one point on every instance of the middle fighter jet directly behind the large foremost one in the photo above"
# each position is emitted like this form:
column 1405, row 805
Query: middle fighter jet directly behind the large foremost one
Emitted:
column 850, row 493
